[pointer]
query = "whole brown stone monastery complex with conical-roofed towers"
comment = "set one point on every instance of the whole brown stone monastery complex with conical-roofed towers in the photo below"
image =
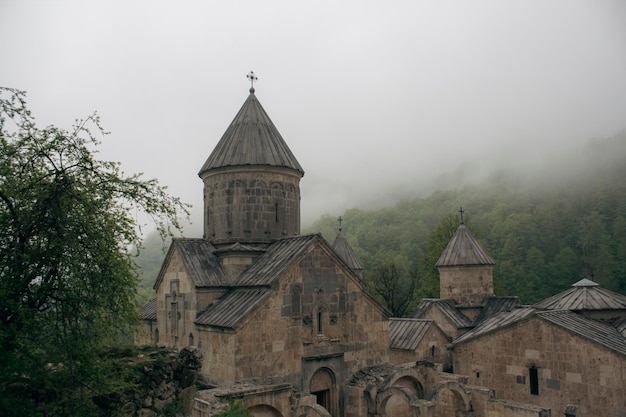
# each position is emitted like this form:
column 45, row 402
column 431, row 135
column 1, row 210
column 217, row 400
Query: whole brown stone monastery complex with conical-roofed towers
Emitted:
column 285, row 324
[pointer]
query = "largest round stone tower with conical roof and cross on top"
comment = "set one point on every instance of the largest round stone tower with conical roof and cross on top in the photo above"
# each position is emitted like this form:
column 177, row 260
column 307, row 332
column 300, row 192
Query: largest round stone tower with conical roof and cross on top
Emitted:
column 251, row 181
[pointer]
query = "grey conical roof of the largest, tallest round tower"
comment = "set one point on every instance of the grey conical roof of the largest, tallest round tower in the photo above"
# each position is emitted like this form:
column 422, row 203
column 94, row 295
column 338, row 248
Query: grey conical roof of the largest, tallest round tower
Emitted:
column 251, row 139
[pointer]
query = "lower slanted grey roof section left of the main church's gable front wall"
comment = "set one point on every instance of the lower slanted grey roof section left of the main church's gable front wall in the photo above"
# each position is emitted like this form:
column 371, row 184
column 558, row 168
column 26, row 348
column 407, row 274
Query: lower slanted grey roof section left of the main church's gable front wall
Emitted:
column 232, row 308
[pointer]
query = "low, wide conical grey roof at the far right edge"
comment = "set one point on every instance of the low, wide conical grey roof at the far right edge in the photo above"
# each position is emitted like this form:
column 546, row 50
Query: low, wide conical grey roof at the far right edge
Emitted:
column 584, row 295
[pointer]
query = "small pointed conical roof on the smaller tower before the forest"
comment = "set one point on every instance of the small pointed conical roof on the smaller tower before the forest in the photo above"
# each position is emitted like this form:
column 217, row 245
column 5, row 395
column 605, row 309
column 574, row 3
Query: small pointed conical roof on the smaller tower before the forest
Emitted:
column 463, row 250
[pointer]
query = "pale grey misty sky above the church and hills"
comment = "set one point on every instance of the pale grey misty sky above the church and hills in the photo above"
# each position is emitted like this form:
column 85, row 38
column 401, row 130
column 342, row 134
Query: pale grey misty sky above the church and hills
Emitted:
column 369, row 95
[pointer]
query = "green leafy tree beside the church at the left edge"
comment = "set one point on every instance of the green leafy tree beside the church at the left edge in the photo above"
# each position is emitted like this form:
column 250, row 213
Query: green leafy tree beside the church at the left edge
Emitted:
column 67, row 280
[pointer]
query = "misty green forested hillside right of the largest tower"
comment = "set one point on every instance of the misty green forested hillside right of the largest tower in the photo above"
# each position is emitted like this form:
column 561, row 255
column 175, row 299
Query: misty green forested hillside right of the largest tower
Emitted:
column 547, row 226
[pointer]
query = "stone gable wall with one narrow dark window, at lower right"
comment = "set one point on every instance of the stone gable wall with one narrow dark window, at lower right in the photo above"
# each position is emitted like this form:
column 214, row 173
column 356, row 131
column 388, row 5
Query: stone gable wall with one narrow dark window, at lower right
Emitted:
column 569, row 370
